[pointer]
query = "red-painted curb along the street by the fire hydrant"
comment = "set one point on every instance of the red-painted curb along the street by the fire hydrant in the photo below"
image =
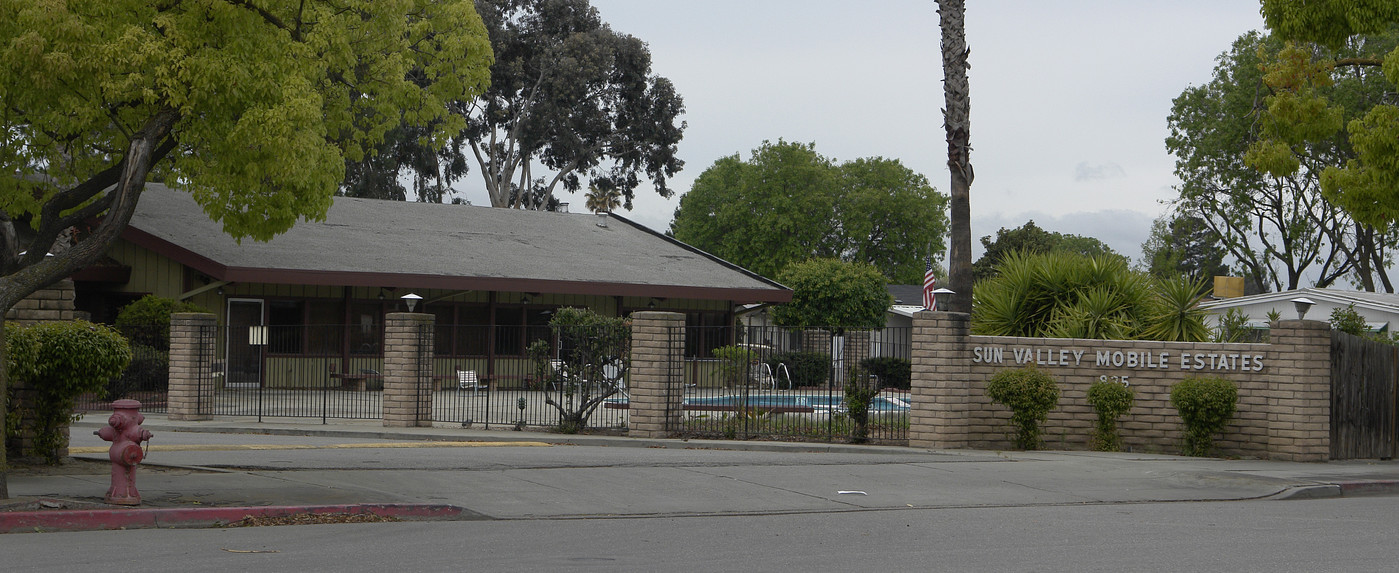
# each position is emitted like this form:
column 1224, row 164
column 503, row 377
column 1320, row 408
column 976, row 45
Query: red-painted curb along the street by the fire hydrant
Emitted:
column 134, row 519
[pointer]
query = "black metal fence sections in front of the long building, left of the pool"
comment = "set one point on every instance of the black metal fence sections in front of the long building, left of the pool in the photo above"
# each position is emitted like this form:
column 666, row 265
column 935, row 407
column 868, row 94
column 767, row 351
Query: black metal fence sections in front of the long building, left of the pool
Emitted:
column 308, row 372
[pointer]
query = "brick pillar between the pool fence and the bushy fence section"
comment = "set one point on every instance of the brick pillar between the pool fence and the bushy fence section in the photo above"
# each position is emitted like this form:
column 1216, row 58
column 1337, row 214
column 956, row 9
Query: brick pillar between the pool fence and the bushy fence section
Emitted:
column 658, row 344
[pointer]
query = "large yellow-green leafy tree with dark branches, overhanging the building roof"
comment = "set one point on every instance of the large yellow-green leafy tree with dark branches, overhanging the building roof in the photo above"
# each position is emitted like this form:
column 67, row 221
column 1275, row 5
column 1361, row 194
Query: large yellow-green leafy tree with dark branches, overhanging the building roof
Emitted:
column 254, row 110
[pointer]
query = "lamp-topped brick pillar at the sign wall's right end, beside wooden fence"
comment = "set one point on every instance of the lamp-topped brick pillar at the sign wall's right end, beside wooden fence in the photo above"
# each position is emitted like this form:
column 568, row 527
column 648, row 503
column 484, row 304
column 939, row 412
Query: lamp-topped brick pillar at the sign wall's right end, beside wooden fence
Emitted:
column 1299, row 395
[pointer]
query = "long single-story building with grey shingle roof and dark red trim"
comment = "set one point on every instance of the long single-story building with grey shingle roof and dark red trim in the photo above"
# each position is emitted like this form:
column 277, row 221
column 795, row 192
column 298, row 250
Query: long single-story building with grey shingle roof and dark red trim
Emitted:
column 493, row 277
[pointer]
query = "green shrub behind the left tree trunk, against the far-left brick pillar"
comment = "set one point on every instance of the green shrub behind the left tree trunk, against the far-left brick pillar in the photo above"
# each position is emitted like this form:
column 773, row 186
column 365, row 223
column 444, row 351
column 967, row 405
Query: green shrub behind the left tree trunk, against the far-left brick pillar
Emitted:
column 57, row 363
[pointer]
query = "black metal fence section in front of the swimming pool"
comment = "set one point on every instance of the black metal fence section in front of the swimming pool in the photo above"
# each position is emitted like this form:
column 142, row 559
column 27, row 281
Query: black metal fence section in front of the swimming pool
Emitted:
column 790, row 384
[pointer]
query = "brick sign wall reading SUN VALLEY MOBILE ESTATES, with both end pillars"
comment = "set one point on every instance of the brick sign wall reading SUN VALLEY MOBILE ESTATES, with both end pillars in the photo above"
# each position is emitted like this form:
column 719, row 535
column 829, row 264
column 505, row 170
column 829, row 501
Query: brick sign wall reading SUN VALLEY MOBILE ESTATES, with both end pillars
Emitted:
column 1284, row 389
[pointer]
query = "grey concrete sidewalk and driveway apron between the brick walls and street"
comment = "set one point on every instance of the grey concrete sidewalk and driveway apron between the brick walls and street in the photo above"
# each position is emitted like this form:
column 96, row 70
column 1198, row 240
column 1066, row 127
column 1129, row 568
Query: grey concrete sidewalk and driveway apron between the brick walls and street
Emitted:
column 201, row 474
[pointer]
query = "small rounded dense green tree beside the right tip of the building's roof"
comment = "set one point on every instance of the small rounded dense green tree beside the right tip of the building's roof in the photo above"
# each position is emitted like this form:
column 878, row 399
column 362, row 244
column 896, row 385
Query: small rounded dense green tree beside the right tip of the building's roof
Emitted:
column 828, row 293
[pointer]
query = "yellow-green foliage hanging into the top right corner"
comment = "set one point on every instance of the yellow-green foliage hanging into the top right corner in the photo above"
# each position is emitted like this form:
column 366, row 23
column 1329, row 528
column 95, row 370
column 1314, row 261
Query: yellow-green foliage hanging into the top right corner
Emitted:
column 1302, row 111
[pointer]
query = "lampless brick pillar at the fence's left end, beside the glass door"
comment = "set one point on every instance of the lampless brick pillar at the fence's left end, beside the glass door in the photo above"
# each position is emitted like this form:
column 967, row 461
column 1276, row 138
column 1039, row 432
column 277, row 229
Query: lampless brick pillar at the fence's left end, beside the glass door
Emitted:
column 192, row 365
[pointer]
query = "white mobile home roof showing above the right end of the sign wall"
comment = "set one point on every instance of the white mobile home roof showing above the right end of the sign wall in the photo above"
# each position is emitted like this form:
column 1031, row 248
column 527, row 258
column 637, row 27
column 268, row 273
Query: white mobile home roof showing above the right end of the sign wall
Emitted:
column 1380, row 310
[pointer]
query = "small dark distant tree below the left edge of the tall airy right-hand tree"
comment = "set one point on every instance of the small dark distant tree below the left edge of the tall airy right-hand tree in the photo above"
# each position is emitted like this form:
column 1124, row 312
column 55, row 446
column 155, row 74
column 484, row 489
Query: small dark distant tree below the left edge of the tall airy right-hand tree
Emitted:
column 1183, row 245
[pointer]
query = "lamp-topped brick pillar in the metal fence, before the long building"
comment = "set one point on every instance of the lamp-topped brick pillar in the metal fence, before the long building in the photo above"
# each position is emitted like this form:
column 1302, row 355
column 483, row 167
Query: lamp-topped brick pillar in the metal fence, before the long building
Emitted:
column 408, row 363
